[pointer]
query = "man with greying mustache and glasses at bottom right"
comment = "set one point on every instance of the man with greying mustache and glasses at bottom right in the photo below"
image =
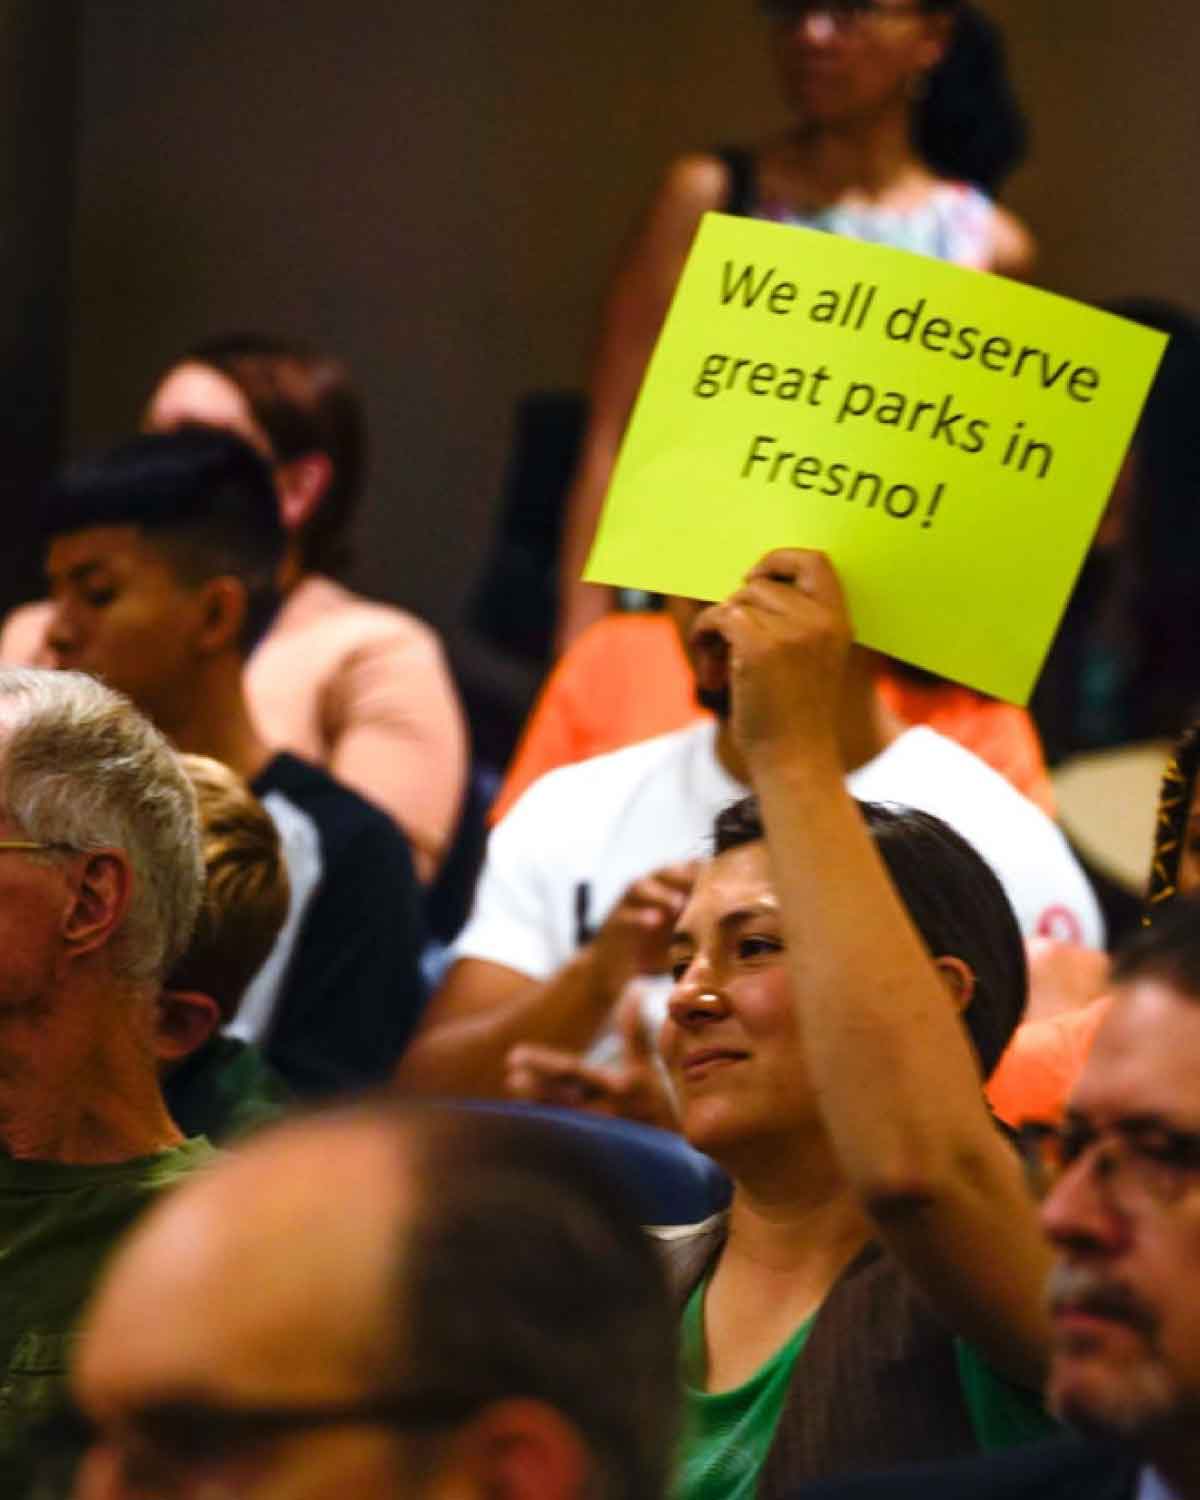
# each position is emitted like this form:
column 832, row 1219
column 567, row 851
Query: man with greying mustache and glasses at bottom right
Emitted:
column 1124, row 1216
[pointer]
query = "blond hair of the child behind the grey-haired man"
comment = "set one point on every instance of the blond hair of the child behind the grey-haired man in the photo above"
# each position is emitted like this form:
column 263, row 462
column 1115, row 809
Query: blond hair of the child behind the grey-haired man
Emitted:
column 245, row 890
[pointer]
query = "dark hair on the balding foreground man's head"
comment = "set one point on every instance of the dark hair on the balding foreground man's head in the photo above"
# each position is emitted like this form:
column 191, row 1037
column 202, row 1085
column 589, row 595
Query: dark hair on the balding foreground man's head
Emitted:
column 526, row 1273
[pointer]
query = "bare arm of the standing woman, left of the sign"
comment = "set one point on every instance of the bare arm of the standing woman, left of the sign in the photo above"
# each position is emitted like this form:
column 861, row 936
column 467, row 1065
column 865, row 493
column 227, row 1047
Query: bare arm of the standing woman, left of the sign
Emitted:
column 634, row 316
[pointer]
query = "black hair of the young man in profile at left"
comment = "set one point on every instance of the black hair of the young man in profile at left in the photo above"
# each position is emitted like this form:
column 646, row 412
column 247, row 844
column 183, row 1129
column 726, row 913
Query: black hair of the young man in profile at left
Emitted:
column 203, row 496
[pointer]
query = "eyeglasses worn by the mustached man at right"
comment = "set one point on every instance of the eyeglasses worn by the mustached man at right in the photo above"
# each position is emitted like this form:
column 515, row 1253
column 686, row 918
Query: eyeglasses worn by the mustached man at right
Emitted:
column 1141, row 1162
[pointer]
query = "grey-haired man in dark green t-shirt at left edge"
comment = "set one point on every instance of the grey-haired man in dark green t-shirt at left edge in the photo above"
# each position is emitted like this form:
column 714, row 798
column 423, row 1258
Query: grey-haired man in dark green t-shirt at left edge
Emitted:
column 100, row 886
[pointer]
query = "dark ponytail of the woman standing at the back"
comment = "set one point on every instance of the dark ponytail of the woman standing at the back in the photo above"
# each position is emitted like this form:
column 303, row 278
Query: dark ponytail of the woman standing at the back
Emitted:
column 970, row 124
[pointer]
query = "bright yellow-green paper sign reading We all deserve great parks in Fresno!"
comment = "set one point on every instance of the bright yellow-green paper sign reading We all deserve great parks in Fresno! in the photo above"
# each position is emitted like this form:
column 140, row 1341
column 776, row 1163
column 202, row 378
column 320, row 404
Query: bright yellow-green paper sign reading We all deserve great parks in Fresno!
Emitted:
column 949, row 437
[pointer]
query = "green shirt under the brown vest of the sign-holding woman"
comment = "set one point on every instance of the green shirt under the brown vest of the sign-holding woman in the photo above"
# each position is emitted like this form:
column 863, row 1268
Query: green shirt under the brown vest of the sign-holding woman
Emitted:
column 728, row 1436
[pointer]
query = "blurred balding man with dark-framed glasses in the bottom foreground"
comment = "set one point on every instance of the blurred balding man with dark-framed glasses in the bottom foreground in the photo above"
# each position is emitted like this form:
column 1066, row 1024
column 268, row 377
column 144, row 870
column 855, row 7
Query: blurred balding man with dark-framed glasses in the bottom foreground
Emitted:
column 392, row 1304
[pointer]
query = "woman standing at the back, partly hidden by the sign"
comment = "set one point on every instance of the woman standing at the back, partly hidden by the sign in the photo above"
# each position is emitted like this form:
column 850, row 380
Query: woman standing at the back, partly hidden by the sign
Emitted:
column 904, row 122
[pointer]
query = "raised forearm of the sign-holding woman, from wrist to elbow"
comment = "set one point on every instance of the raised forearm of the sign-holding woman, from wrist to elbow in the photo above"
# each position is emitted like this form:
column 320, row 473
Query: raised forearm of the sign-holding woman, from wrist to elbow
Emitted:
column 890, row 1061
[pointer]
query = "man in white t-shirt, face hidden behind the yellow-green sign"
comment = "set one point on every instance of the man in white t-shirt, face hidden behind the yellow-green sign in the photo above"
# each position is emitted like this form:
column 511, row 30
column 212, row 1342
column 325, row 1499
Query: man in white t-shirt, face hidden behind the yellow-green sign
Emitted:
column 589, row 872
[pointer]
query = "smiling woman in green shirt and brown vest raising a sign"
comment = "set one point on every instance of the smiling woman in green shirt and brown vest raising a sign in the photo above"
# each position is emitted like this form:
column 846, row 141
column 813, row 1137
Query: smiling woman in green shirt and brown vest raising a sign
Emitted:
column 875, row 1292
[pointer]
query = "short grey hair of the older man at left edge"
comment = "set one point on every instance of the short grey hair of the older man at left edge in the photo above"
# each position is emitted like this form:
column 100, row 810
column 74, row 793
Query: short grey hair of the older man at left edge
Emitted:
column 82, row 769
